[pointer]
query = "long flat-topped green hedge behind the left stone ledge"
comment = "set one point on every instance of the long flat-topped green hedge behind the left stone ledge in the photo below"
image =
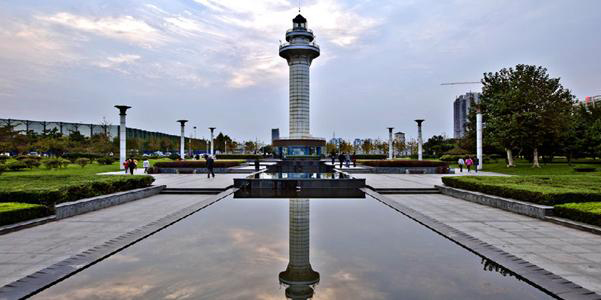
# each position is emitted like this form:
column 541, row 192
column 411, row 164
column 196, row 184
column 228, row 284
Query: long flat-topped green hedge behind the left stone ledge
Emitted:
column 52, row 189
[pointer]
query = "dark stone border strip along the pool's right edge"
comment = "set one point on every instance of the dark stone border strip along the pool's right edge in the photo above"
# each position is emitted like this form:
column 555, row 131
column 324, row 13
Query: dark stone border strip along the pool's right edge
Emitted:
column 540, row 278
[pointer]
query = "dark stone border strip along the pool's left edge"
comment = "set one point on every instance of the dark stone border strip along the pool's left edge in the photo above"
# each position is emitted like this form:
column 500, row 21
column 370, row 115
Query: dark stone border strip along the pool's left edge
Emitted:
column 40, row 280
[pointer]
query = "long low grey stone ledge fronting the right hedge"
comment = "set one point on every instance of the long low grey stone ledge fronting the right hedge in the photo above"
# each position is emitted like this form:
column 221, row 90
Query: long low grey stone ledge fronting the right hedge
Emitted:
column 515, row 206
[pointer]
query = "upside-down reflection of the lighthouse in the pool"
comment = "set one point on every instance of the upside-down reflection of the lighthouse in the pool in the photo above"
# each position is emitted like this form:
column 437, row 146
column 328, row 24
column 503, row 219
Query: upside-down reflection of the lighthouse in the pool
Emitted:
column 299, row 276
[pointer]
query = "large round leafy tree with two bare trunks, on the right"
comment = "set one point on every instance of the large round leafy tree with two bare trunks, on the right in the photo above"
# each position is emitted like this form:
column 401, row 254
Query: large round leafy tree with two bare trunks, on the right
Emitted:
column 523, row 107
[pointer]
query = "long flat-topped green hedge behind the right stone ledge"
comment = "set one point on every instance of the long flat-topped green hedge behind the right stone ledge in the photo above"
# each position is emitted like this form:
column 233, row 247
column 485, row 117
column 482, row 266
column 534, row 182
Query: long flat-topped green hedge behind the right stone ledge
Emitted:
column 545, row 190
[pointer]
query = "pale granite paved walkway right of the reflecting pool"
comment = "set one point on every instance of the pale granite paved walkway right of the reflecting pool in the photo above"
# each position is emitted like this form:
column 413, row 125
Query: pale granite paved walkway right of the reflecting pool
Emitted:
column 570, row 253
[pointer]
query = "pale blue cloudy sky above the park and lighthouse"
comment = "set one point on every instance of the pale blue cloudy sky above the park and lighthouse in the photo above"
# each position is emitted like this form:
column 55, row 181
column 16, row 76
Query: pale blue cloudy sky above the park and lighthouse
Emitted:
column 216, row 63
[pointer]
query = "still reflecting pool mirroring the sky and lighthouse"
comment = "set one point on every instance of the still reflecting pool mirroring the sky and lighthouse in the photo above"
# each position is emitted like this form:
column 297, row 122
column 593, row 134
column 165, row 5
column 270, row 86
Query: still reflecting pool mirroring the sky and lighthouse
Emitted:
column 297, row 249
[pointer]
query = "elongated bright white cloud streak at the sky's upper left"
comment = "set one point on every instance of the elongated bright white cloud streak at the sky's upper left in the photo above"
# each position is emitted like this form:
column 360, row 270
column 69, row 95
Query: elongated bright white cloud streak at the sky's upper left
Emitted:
column 125, row 28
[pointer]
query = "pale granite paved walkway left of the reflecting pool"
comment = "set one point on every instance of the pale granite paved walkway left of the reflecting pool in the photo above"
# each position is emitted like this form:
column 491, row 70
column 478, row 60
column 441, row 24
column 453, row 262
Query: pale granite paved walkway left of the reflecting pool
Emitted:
column 26, row 251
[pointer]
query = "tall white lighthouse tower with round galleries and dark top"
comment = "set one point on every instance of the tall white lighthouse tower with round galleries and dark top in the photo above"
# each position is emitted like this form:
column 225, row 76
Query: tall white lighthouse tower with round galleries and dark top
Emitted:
column 299, row 51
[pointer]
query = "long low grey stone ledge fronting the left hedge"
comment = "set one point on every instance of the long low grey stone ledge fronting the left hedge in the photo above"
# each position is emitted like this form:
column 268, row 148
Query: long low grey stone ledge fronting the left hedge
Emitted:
column 69, row 209
